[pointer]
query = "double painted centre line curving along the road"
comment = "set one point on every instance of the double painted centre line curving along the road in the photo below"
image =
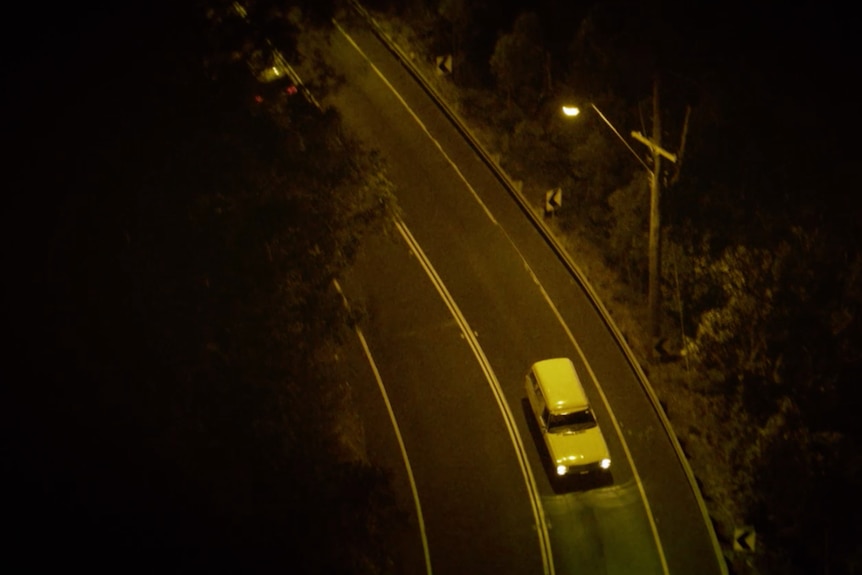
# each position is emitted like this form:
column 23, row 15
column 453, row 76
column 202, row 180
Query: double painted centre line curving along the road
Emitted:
column 499, row 396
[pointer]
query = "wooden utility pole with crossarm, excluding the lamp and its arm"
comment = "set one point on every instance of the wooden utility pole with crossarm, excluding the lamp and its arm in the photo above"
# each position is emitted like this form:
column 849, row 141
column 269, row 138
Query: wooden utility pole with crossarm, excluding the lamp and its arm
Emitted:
column 654, row 293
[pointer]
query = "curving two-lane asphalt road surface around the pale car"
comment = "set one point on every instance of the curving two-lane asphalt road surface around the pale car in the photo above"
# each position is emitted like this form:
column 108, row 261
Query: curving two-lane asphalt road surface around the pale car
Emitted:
column 459, row 305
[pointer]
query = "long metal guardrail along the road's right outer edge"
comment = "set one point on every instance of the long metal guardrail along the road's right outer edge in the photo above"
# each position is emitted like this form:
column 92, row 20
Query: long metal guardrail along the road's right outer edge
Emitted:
column 561, row 253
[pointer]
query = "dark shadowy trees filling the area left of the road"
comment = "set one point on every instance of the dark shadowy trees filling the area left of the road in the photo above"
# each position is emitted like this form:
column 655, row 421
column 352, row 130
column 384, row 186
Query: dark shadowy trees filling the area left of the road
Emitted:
column 169, row 396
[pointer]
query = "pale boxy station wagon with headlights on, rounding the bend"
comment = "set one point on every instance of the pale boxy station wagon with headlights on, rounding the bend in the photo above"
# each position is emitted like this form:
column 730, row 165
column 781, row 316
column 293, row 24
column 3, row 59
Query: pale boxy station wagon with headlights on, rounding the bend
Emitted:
column 565, row 419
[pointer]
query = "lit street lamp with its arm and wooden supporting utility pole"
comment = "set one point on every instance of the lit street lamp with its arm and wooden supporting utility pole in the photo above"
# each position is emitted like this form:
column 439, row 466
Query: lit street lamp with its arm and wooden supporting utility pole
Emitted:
column 654, row 144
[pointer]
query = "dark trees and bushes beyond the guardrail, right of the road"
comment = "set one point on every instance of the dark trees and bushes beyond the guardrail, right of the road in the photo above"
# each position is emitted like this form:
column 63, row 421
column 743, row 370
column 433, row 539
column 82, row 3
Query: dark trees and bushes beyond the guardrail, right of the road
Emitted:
column 762, row 278
